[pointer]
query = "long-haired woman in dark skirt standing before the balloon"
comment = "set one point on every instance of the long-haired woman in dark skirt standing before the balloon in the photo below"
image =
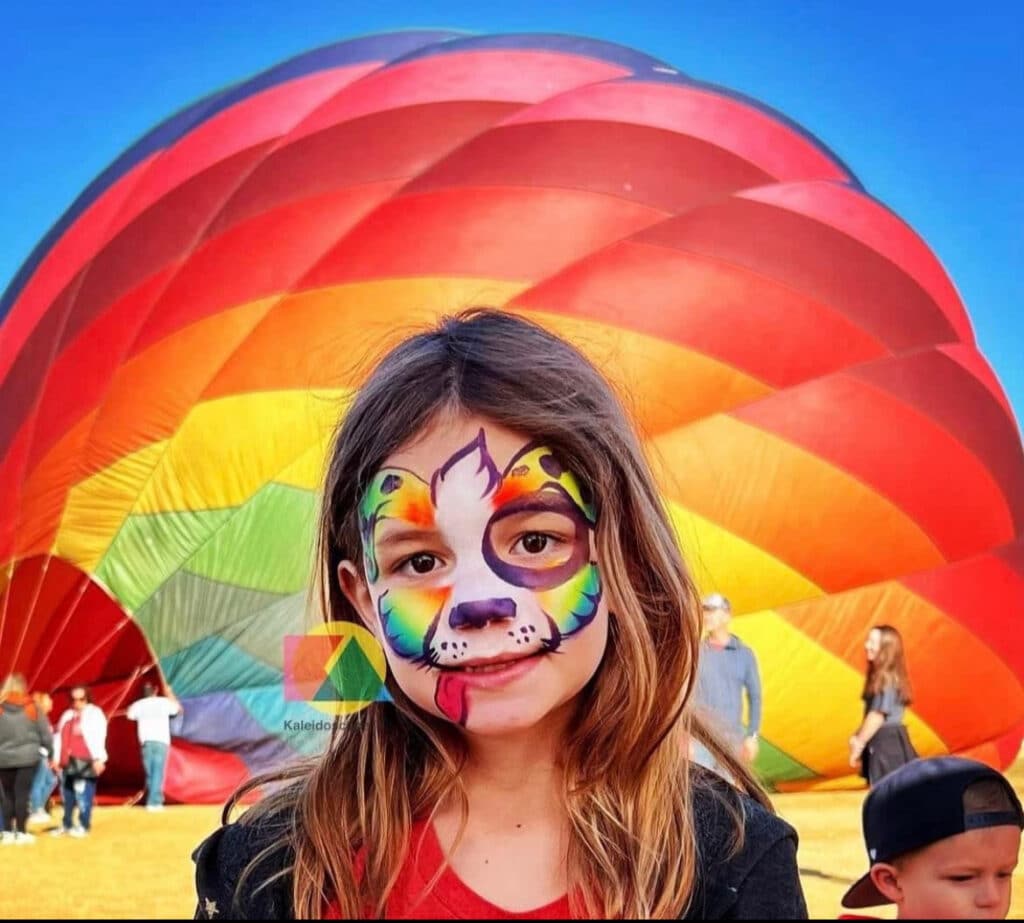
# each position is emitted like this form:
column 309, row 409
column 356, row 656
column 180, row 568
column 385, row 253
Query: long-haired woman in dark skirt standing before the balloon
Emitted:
column 882, row 744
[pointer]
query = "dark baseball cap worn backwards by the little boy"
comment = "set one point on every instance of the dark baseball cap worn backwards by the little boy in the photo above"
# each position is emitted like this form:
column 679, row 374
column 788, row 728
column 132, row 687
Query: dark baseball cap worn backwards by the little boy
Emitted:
column 920, row 805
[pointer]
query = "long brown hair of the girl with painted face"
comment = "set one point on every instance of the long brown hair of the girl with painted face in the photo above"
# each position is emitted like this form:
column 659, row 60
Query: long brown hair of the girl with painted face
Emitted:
column 628, row 791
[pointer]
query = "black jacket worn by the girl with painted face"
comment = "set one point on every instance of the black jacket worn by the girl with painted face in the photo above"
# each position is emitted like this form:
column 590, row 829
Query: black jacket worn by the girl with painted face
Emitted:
column 760, row 883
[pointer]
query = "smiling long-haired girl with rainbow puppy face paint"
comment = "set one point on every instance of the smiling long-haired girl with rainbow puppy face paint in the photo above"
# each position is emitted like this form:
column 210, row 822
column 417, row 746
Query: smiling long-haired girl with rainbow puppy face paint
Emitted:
column 489, row 515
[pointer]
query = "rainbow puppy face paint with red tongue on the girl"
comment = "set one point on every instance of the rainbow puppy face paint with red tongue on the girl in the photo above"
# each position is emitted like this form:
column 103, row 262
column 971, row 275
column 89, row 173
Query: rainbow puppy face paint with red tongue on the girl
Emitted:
column 475, row 564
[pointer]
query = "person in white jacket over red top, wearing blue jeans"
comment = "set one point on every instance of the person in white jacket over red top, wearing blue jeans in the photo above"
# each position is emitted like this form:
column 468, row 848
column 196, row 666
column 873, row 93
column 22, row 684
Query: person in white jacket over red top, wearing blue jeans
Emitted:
column 80, row 752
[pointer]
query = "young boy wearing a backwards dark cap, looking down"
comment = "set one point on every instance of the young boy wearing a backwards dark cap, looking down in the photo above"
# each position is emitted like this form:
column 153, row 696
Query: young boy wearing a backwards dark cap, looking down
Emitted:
column 943, row 836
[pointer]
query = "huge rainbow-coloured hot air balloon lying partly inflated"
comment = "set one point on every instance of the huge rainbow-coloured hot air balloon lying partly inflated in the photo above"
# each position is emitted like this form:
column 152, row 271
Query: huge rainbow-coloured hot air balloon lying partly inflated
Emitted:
column 834, row 449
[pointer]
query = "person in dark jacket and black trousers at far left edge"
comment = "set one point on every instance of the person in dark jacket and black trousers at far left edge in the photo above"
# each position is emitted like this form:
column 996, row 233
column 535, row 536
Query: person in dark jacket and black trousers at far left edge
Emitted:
column 23, row 733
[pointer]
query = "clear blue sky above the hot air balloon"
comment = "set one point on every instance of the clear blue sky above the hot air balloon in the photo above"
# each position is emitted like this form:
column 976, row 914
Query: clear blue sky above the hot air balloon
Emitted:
column 924, row 102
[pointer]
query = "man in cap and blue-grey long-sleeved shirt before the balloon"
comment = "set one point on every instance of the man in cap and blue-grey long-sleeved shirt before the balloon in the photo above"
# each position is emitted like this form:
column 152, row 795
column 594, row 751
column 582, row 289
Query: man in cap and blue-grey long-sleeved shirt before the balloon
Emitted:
column 729, row 669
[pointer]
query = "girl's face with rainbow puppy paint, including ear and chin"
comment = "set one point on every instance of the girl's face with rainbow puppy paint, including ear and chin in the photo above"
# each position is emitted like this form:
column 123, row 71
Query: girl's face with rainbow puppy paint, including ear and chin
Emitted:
column 481, row 576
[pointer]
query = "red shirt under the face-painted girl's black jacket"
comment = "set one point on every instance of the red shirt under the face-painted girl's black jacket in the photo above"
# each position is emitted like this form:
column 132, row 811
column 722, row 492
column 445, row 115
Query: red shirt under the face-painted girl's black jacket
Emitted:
column 451, row 899
